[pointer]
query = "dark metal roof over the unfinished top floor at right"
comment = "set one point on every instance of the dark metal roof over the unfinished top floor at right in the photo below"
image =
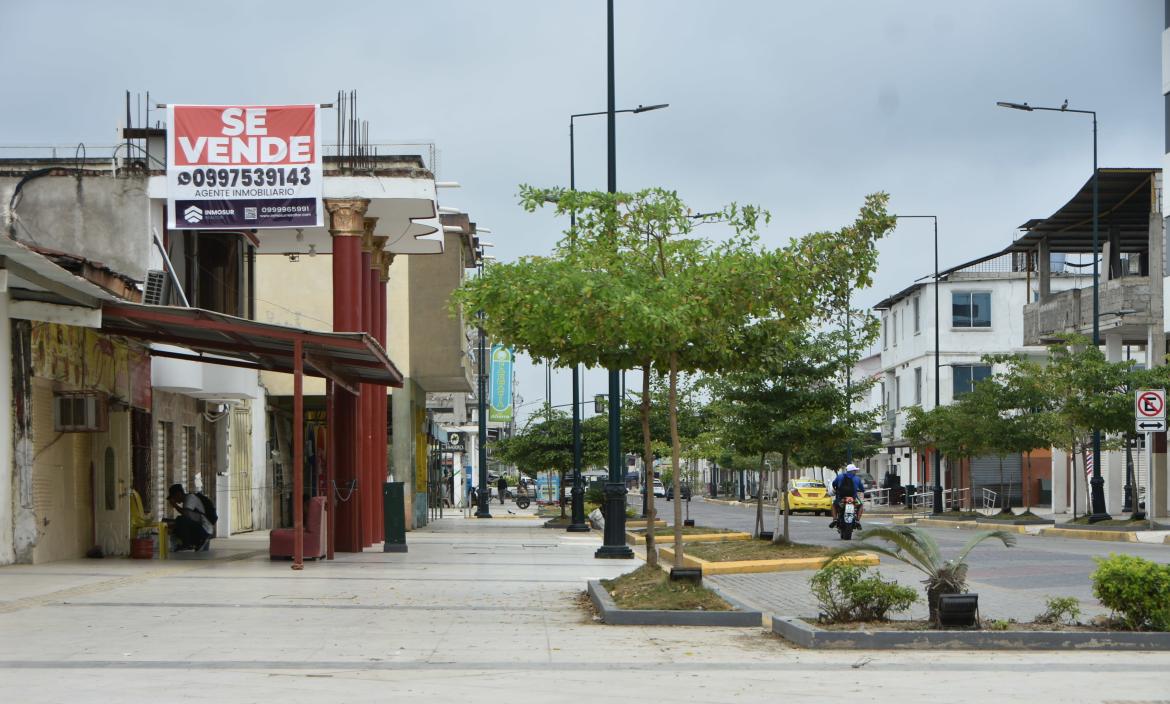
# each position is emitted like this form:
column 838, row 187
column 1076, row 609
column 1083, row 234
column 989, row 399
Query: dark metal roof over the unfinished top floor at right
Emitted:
column 1126, row 201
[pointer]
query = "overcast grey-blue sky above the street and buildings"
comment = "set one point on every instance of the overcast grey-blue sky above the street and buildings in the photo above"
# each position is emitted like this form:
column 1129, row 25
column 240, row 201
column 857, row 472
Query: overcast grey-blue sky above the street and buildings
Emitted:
column 800, row 107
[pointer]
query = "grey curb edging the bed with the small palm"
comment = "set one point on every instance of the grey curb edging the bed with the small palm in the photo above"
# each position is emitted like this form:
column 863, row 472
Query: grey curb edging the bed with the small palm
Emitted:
column 808, row 636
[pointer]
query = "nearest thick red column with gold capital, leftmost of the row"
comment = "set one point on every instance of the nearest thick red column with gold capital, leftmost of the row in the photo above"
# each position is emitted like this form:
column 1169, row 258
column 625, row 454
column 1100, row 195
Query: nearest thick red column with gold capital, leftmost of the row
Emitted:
column 347, row 227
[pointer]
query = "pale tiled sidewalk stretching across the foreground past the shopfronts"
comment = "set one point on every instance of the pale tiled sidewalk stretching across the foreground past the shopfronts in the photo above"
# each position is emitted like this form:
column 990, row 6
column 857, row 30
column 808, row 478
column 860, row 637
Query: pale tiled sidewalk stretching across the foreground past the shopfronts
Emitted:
column 485, row 611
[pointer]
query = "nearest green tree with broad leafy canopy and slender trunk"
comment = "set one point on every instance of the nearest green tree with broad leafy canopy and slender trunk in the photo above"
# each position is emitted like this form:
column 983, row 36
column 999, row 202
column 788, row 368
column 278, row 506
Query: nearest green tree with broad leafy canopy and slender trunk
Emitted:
column 630, row 287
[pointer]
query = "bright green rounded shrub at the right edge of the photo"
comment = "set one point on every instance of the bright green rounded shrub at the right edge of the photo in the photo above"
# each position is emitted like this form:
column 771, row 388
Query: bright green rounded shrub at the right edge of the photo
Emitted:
column 1135, row 590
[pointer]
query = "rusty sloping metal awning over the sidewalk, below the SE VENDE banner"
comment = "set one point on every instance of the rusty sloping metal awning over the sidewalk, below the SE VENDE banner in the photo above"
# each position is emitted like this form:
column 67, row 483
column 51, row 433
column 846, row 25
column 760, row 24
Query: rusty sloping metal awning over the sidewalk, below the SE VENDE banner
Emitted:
column 347, row 358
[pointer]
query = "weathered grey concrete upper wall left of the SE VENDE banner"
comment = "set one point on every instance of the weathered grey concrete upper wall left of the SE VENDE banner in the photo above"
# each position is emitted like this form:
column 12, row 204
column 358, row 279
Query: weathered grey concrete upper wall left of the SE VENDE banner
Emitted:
column 101, row 218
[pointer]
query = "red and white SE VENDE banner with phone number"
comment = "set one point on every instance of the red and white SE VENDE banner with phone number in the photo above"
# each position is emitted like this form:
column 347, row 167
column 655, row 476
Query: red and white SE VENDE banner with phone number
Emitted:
column 244, row 167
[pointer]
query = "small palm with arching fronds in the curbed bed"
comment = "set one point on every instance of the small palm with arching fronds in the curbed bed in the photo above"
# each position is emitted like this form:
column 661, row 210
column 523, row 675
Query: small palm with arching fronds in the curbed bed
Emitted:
column 918, row 549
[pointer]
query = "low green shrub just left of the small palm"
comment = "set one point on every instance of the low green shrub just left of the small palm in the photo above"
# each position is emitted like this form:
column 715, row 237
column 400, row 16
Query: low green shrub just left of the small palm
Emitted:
column 850, row 593
